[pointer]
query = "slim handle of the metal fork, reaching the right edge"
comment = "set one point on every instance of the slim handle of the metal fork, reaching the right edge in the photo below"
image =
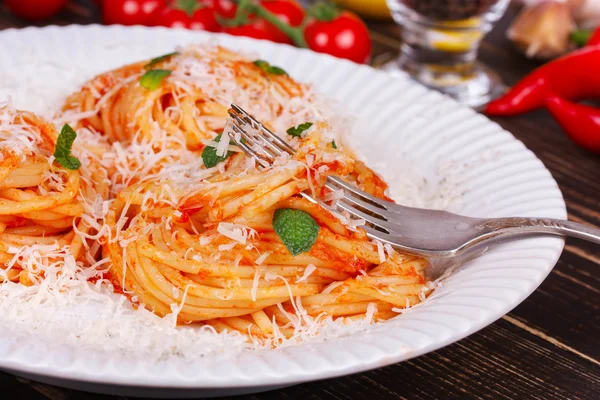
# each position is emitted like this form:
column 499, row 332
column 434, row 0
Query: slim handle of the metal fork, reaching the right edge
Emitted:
column 511, row 227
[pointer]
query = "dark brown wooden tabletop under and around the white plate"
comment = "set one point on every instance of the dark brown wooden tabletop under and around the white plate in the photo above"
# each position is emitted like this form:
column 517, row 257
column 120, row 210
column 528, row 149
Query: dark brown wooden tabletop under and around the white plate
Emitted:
column 546, row 348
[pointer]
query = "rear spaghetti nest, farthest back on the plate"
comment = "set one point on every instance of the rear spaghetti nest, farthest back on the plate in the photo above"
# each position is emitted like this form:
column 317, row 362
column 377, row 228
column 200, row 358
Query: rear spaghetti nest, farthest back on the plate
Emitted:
column 191, row 104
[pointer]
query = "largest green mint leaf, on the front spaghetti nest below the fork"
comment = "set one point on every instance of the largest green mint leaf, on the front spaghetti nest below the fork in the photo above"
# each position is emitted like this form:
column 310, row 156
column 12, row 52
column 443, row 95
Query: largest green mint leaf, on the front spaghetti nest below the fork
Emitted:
column 297, row 229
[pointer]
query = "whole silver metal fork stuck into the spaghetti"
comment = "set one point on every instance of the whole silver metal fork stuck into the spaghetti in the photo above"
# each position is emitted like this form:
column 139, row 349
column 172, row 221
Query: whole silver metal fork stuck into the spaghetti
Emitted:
column 428, row 233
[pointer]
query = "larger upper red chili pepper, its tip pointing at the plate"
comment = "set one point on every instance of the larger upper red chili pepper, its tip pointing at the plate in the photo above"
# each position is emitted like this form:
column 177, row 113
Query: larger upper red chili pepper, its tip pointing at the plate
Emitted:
column 572, row 77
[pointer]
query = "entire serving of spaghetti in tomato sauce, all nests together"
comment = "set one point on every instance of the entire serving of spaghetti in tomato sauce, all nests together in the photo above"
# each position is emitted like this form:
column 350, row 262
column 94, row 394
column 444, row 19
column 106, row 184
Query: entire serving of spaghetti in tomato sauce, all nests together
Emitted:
column 187, row 223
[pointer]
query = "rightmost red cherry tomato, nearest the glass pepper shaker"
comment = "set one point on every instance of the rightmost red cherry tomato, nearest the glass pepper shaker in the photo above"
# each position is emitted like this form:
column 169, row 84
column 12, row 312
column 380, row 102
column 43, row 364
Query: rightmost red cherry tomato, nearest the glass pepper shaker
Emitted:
column 345, row 36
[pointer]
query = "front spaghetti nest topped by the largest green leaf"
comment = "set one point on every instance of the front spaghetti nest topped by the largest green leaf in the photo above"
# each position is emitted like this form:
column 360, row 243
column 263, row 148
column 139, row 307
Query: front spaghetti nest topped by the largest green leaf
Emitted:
column 216, row 254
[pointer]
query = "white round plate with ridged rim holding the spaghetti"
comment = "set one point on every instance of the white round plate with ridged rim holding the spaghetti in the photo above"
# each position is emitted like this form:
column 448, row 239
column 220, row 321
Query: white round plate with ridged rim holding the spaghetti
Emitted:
column 399, row 123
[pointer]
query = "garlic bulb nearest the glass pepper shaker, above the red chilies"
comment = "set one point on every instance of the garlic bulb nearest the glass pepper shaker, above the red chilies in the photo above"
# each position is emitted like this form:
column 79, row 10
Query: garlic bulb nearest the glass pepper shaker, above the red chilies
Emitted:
column 542, row 29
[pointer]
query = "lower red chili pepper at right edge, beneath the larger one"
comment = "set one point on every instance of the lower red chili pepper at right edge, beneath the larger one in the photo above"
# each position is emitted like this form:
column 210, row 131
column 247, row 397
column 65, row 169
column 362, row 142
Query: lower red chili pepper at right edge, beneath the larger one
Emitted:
column 581, row 123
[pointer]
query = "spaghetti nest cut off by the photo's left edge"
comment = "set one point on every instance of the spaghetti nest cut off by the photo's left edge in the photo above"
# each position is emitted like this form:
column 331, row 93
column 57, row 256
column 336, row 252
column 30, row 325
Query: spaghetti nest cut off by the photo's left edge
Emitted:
column 40, row 201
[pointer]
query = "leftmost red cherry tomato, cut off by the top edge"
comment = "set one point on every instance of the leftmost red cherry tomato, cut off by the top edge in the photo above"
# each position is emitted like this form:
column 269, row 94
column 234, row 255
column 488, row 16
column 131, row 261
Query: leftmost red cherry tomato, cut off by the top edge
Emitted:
column 131, row 12
